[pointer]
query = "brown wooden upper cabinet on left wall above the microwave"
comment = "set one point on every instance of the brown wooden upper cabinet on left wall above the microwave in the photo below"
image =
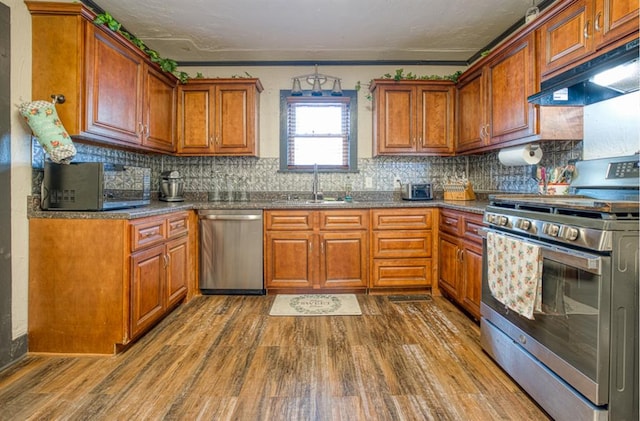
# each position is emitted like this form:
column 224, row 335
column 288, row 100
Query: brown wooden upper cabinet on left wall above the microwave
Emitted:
column 114, row 94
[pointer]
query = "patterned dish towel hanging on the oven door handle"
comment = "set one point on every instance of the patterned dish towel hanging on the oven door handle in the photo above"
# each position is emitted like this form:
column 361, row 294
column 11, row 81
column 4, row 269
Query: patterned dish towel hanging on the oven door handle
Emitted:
column 515, row 273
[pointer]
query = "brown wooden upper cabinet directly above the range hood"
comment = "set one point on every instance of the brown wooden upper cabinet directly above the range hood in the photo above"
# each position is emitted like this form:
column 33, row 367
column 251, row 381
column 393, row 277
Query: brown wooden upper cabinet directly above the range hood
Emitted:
column 582, row 28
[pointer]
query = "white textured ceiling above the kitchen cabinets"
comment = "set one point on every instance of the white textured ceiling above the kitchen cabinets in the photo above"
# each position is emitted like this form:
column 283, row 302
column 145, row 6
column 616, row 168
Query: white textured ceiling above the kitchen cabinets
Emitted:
column 312, row 30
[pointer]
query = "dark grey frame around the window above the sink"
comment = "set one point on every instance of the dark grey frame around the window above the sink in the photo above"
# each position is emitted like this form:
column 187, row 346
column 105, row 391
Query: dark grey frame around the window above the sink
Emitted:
column 285, row 96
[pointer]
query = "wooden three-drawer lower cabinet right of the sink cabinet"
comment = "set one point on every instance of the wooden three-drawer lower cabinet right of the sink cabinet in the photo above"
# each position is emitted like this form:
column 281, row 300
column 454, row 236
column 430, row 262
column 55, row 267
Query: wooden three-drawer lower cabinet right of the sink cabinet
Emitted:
column 402, row 249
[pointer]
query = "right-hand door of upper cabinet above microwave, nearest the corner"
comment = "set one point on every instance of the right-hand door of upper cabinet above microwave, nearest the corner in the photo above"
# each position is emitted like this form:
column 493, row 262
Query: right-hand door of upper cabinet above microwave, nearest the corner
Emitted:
column 159, row 111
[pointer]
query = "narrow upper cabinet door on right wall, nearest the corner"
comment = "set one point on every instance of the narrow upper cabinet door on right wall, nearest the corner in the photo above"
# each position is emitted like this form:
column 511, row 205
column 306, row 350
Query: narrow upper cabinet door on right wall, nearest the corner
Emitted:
column 470, row 114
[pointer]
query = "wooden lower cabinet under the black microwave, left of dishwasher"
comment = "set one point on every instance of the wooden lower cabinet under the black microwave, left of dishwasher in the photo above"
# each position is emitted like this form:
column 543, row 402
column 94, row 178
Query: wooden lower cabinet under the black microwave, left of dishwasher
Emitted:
column 95, row 285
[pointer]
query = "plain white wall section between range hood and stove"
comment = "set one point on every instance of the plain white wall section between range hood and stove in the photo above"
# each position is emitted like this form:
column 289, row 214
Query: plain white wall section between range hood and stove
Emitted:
column 612, row 127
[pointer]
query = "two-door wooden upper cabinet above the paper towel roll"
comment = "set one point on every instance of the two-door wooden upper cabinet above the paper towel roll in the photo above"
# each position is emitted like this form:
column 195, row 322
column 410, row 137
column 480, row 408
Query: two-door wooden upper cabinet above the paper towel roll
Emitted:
column 492, row 98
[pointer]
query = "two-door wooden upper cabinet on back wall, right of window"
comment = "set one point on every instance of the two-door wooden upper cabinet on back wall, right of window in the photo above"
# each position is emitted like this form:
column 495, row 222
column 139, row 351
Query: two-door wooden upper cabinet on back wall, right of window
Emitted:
column 413, row 117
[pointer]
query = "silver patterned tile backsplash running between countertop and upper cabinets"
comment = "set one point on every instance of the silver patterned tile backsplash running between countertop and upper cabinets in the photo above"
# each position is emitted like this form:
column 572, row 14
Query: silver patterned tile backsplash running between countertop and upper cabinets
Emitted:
column 248, row 174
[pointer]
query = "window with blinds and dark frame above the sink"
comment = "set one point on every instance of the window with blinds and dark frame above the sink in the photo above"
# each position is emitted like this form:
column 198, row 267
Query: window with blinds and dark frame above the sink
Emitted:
column 318, row 130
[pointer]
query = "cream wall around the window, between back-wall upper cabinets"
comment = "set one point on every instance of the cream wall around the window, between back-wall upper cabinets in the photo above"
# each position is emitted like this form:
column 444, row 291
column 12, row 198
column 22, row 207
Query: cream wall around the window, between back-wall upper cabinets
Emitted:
column 275, row 78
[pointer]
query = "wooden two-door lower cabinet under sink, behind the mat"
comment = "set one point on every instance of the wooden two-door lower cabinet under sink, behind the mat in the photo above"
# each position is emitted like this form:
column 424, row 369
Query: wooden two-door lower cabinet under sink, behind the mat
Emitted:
column 311, row 250
